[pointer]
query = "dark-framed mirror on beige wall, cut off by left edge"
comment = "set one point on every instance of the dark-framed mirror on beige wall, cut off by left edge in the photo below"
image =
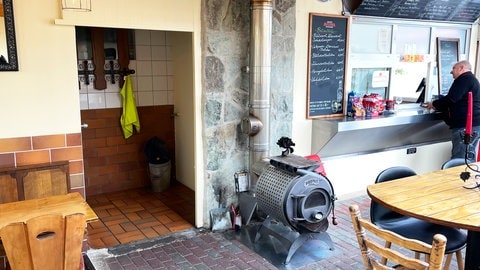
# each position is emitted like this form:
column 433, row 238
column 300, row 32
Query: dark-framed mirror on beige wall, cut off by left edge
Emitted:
column 8, row 45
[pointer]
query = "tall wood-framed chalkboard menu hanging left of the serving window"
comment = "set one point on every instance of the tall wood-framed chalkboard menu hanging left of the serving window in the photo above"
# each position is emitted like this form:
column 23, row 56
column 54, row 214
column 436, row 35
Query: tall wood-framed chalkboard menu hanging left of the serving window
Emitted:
column 326, row 65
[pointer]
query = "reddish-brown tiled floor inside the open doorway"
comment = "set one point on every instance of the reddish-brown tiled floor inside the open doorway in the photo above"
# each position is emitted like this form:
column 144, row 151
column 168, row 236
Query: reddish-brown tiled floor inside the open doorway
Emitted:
column 137, row 214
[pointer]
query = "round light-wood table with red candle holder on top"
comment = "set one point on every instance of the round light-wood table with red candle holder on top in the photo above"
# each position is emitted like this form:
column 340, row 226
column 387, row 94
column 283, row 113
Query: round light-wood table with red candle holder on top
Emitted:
column 438, row 197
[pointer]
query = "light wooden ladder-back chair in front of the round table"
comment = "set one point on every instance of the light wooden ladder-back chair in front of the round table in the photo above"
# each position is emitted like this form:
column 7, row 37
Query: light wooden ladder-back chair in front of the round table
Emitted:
column 434, row 252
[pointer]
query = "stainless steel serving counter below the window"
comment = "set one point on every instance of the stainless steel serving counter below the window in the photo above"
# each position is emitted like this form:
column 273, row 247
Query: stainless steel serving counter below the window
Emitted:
column 410, row 125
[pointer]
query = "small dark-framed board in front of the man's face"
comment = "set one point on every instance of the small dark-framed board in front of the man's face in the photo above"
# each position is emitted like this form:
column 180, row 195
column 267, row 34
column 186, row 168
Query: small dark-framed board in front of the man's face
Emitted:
column 447, row 56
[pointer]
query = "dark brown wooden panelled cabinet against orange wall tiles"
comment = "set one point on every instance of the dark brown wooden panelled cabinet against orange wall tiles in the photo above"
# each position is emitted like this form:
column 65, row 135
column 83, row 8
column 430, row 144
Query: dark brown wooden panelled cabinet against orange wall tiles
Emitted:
column 34, row 181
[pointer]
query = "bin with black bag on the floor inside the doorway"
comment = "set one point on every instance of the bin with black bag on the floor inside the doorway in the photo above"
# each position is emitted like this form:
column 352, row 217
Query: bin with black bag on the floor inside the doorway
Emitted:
column 159, row 164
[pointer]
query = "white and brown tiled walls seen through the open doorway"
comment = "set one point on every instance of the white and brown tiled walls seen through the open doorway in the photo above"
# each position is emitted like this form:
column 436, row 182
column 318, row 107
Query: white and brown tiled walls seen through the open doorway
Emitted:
column 163, row 87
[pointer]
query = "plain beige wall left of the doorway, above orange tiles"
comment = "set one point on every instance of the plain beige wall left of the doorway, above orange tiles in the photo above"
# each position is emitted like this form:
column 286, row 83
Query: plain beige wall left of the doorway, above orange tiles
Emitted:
column 41, row 98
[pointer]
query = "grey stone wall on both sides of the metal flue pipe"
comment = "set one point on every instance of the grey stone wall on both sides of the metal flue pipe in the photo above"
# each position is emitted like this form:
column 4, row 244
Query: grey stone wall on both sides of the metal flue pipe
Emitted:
column 225, row 54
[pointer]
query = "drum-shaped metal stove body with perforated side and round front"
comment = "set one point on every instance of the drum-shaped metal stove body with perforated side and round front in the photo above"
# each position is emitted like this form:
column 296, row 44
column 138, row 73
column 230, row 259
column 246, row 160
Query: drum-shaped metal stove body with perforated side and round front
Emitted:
column 301, row 199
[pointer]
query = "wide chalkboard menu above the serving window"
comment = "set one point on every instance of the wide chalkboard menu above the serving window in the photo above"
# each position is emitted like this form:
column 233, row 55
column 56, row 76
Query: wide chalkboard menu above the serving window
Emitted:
column 439, row 10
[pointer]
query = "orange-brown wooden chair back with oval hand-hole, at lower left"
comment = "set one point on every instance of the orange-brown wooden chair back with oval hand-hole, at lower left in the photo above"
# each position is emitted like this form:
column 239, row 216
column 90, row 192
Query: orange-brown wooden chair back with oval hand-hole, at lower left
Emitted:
column 45, row 242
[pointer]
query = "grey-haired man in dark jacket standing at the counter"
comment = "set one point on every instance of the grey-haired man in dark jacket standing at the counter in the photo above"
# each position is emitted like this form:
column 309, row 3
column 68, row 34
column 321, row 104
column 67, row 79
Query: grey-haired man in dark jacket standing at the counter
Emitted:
column 454, row 107
